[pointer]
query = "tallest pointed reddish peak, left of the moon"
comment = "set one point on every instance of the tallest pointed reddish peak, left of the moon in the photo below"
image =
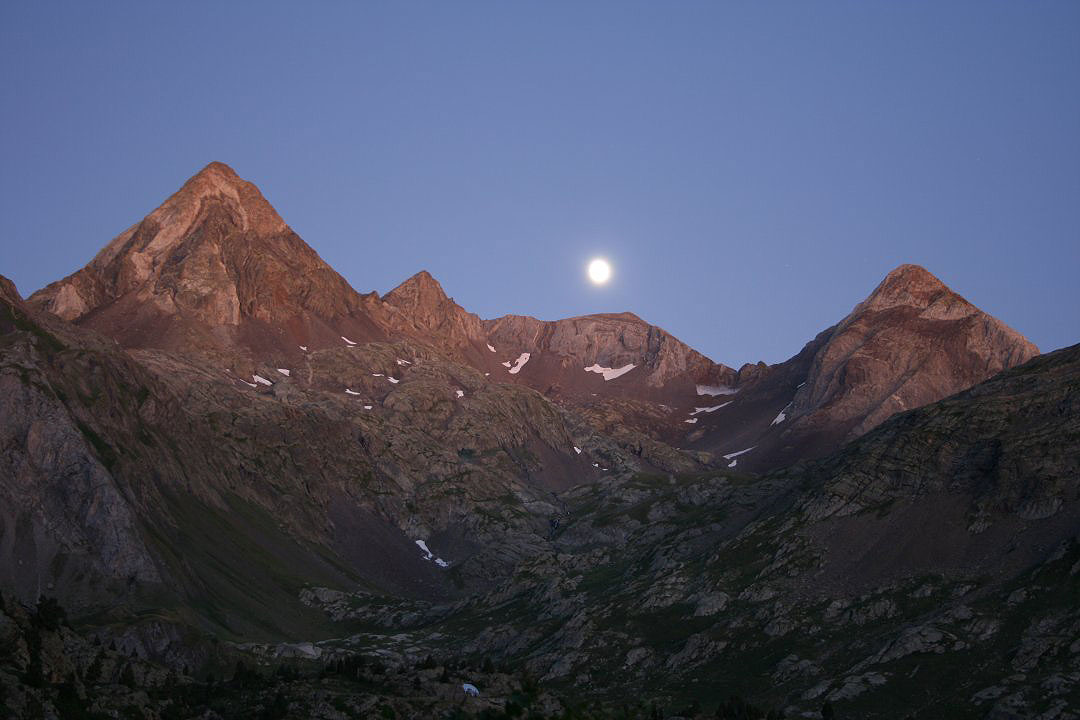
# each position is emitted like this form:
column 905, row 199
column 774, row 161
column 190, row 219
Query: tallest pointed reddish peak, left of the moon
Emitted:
column 211, row 261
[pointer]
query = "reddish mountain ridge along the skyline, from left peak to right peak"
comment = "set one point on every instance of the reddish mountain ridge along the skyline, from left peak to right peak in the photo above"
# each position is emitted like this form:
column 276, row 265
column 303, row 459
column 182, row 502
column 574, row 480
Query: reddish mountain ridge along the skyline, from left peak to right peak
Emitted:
column 215, row 269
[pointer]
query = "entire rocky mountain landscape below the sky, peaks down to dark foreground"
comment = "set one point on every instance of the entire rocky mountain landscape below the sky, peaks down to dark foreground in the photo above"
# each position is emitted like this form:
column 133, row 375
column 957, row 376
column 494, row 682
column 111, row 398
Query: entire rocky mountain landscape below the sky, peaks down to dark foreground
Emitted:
column 225, row 461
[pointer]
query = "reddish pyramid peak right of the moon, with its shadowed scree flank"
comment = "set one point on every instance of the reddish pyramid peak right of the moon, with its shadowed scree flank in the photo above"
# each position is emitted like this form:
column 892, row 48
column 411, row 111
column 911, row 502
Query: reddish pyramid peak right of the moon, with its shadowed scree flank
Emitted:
column 912, row 343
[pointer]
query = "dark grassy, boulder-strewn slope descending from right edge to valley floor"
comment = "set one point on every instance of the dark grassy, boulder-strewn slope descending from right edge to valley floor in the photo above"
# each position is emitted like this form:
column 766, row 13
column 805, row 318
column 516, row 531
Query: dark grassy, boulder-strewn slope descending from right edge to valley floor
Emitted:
column 928, row 570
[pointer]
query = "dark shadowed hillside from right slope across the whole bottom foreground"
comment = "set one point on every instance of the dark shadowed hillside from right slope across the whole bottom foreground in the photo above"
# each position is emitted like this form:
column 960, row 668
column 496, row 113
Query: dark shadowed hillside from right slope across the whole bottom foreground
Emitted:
column 930, row 569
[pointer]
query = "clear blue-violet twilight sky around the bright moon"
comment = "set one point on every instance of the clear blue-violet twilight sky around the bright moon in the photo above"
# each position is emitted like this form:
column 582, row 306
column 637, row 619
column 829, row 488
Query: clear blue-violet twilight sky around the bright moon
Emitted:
column 751, row 170
